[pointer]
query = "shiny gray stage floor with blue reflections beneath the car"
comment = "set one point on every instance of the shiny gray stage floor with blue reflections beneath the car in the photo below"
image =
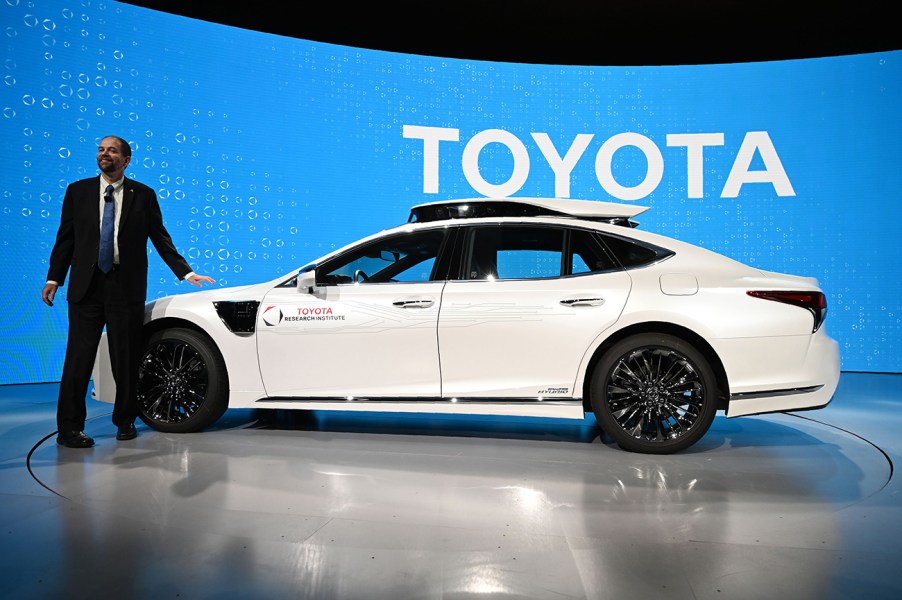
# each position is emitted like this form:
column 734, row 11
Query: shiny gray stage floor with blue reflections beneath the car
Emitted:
column 348, row 506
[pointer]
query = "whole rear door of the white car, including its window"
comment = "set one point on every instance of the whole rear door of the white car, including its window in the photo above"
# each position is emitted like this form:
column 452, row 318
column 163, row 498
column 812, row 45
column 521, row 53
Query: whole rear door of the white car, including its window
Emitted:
column 531, row 301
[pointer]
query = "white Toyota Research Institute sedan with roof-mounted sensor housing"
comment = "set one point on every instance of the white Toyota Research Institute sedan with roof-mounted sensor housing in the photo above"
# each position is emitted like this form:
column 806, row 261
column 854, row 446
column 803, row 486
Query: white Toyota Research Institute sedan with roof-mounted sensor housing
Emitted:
column 505, row 306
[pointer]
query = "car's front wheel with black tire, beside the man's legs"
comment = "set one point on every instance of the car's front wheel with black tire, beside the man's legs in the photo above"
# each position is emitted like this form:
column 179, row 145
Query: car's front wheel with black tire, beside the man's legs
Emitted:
column 182, row 382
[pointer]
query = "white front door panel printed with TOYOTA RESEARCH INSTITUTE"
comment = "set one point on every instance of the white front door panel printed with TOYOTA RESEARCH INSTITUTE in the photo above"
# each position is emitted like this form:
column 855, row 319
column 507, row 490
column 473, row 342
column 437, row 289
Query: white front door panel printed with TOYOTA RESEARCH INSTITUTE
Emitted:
column 362, row 340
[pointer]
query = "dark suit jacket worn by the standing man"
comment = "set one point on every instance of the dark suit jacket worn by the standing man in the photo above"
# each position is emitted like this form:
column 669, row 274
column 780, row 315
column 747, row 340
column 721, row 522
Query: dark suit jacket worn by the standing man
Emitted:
column 78, row 239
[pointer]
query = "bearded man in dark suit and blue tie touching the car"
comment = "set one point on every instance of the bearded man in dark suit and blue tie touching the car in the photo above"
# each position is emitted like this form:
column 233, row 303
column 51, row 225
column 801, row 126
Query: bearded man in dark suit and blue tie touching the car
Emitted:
column 106, row 288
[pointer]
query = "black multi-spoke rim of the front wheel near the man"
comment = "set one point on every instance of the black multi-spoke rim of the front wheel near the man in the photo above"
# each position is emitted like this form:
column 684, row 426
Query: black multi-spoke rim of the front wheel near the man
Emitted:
column 172, row 382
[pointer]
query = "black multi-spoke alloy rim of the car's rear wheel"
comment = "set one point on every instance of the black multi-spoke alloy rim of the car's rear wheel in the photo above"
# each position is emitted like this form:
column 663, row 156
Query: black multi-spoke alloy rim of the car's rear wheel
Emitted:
column 655, row 394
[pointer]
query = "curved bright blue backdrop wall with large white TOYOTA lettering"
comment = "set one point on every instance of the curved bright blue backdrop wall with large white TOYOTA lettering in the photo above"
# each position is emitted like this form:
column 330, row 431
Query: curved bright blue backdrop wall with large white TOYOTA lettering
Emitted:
column 268, row 151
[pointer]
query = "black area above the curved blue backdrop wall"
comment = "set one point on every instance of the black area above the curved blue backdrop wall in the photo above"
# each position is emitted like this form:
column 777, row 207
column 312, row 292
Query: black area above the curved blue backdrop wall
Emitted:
column 573, row 32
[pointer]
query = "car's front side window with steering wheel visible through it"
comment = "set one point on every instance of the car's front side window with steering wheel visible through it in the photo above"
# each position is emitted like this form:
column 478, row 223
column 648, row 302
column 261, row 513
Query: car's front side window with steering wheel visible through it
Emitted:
column 407, row 257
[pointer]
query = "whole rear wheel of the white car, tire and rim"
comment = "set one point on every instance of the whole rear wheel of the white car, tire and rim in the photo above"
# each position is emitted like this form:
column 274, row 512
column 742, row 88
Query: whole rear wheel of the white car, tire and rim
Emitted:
column 654, row 394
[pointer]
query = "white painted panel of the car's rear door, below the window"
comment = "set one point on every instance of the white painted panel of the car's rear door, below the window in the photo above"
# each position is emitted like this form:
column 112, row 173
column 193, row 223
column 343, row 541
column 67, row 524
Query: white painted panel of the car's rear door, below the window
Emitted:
column 542, row 327
